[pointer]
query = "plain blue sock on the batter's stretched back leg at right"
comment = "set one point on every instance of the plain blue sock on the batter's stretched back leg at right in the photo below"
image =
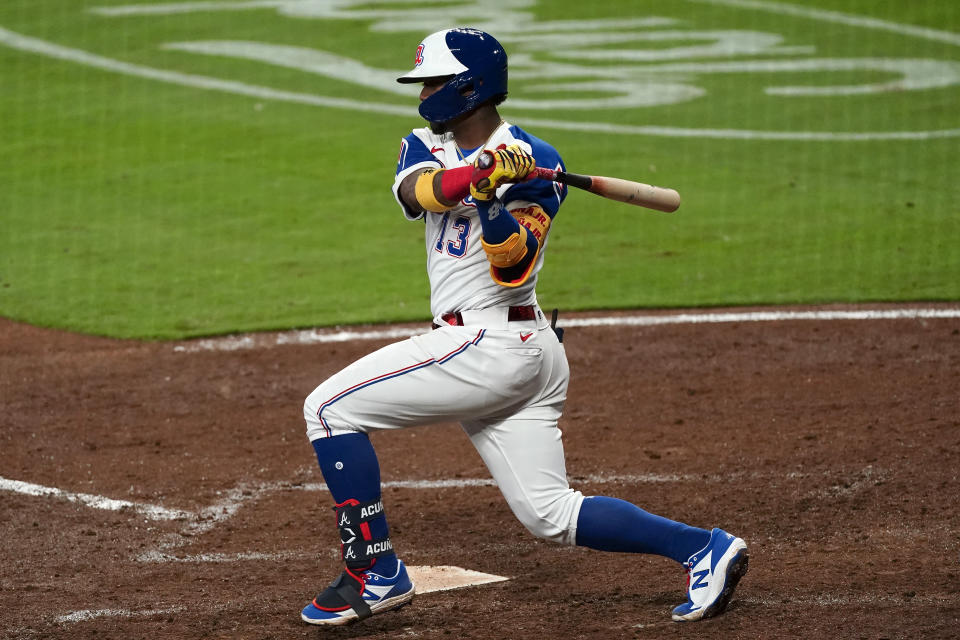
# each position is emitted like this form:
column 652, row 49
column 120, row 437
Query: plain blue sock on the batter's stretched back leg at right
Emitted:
column 611, row 524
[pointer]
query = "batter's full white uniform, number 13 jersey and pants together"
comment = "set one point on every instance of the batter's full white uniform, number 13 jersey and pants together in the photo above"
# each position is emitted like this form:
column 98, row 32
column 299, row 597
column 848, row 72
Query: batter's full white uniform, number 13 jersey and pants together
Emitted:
column 504, row 380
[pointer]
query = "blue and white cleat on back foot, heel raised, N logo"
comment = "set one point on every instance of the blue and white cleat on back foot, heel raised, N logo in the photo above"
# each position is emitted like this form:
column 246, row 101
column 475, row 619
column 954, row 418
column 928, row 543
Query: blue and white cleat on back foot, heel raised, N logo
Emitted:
column 712, row 575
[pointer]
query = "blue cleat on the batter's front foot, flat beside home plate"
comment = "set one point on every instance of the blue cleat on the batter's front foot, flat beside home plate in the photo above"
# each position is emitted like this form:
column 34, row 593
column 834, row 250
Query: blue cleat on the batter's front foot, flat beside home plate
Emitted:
column 357, row 595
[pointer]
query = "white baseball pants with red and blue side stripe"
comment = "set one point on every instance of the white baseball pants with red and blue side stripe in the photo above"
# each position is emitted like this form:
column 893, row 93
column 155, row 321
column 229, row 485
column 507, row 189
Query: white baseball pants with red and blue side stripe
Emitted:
column 505, row 382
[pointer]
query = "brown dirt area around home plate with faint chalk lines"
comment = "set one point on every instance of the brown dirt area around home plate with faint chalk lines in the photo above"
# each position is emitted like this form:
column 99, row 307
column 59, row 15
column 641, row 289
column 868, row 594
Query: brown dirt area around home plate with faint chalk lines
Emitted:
column 832, row 447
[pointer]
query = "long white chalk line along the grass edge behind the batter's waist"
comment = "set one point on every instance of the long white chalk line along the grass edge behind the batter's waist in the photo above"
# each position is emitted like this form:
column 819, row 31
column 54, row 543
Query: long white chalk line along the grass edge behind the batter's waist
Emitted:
column 320, row 336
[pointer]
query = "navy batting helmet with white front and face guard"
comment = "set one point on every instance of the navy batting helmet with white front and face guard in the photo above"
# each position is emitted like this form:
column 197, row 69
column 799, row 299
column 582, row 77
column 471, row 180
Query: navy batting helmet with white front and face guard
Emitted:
column 474, row 64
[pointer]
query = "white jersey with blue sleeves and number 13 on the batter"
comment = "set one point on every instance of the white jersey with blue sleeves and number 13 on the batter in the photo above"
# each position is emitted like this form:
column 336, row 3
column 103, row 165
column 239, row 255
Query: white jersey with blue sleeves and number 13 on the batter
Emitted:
column 456, row 263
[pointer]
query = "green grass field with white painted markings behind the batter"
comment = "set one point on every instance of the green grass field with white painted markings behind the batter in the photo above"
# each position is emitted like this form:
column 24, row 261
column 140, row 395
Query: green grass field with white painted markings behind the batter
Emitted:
column 174, row 169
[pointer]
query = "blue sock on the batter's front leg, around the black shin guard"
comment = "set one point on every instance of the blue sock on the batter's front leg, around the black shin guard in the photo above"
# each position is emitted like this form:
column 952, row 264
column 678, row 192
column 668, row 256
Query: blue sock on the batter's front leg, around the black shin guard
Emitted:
column 352, row 472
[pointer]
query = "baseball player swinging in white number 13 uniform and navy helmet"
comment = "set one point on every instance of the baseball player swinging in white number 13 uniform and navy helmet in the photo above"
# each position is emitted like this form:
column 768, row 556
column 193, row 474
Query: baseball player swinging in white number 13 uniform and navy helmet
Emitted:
column 492, row 362
